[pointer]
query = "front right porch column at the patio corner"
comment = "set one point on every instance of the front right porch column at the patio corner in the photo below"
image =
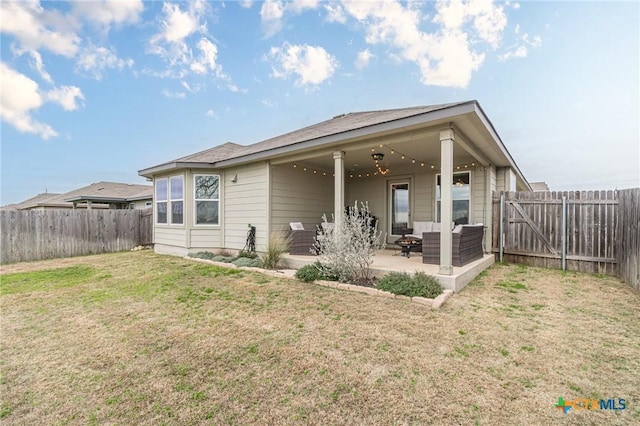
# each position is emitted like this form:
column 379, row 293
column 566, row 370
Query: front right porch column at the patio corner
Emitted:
column 446, row 200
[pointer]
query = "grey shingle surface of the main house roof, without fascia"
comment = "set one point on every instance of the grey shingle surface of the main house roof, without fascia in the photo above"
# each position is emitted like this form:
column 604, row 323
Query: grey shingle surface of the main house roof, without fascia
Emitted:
column 338, row 124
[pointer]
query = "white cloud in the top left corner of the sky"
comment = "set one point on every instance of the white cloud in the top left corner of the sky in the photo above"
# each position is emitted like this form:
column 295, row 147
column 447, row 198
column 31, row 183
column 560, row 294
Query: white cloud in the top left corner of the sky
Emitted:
column 35, row 28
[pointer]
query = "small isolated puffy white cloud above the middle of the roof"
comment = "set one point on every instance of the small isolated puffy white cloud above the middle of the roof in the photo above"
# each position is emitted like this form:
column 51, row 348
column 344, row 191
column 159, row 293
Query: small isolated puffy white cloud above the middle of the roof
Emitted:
column 312, row 64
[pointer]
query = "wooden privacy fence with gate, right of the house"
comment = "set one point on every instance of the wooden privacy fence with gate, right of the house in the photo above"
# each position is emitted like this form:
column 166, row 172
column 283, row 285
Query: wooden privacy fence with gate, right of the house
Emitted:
column 589, row 231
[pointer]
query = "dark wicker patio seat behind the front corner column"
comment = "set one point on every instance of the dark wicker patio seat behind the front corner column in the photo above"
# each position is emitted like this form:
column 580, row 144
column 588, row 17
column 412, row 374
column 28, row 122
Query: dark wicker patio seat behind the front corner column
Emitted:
column 466, row 245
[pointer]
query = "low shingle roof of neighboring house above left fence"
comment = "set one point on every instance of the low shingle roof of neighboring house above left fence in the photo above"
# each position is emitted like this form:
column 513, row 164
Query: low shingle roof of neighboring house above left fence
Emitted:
column 100, row 192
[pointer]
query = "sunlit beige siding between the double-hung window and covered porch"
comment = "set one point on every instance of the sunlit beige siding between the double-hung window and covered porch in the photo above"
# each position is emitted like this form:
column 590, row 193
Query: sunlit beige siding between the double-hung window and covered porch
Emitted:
column 245, row 202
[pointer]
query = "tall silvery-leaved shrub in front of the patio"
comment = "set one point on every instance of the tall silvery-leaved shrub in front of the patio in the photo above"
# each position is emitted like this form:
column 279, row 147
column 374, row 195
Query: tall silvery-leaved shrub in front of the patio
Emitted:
column 347, row 253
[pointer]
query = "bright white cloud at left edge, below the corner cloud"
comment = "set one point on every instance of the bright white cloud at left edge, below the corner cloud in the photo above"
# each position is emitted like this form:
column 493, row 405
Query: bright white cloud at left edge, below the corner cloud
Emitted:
column 20, row 96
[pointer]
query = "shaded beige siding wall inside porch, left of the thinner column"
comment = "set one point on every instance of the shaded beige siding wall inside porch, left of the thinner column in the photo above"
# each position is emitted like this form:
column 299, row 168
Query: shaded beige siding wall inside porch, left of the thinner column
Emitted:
column 298, row 196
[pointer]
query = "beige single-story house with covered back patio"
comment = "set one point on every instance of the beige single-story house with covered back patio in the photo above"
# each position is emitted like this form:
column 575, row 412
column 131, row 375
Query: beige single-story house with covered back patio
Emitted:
column 436, row 163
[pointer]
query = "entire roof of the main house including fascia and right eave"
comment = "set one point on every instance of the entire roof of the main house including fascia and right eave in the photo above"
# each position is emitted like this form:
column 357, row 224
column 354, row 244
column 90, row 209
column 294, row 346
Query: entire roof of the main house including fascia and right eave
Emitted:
column 339, row 130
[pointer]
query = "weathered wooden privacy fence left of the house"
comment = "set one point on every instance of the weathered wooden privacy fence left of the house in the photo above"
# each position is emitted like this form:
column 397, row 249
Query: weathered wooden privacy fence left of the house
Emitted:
column 45, row 234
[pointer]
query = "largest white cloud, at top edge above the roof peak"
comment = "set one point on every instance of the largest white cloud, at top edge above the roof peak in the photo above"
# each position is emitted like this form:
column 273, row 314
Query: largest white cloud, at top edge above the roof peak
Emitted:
column 445, row 56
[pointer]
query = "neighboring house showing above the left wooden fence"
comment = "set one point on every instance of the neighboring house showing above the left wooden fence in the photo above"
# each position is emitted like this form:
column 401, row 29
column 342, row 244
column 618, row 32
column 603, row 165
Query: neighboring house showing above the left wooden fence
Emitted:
column 99, row 195
